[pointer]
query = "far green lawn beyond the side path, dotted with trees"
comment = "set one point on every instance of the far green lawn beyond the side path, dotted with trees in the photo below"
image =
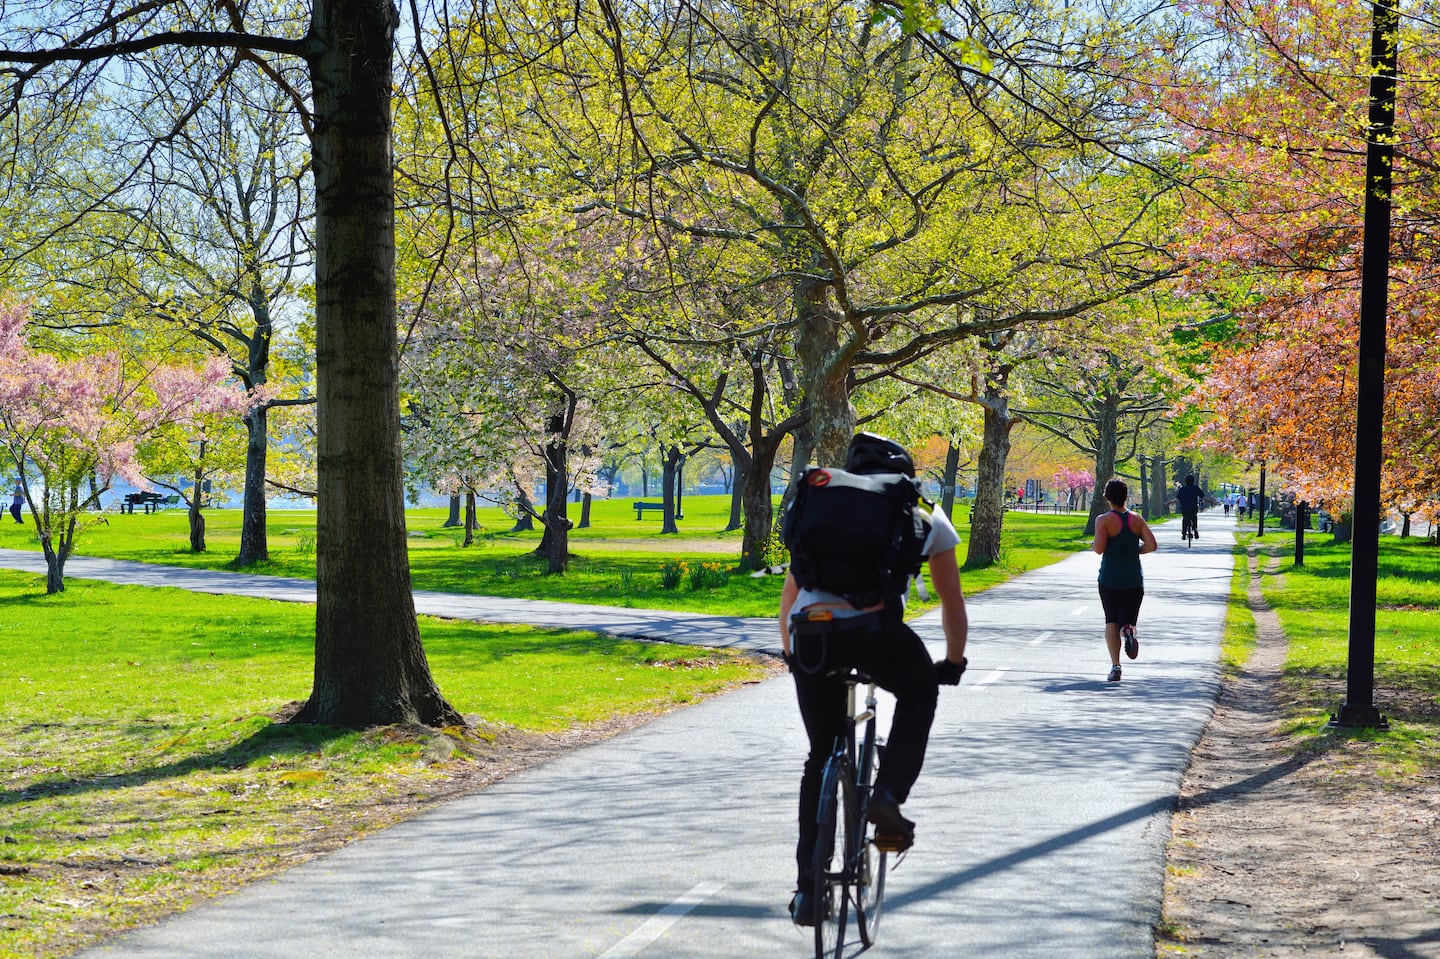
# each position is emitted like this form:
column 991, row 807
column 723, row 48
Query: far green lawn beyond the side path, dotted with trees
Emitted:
column 617, row 562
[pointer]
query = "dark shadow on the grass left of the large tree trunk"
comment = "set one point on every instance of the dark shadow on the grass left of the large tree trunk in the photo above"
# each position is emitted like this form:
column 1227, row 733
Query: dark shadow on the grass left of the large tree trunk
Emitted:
column 274, row 739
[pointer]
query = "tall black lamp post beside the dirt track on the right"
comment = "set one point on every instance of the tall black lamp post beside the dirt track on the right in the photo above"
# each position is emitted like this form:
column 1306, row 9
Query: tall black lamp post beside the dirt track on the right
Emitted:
column 1359, row 709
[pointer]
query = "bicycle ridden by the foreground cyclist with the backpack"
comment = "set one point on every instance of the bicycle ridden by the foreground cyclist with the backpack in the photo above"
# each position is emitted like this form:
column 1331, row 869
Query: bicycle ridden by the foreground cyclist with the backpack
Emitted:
column 849, row 869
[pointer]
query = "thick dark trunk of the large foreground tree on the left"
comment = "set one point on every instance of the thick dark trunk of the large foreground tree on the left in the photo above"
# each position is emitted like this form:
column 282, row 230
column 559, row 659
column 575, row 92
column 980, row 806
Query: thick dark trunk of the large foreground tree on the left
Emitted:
column 369, row 665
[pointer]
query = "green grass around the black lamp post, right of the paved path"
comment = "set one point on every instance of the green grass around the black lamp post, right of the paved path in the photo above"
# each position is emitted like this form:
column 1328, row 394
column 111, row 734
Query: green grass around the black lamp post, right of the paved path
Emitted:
column 1313, row 603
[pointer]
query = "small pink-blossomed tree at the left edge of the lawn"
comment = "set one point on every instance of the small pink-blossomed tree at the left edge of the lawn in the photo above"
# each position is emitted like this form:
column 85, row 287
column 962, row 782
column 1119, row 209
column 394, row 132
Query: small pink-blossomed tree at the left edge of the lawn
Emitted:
column 73, row 426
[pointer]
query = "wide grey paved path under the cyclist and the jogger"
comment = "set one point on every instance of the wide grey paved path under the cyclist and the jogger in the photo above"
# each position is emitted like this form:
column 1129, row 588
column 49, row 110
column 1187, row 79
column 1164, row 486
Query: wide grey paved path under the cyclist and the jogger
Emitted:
column 1043, row 814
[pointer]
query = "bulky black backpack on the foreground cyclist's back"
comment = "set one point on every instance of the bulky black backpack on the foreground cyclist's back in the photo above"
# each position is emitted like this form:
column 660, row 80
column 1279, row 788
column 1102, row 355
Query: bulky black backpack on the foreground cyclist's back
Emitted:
column 856, row 535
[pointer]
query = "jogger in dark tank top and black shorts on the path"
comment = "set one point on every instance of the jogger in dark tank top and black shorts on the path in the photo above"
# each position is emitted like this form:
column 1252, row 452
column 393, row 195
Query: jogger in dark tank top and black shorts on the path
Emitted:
column 1121, row 538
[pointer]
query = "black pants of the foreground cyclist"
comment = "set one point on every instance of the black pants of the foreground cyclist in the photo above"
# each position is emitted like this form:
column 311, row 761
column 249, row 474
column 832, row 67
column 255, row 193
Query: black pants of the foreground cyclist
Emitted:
column 898, row 662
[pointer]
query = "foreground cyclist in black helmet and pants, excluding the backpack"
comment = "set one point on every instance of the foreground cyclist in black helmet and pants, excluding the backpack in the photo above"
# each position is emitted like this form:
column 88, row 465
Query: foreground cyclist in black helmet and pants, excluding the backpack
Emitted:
column 886, row 649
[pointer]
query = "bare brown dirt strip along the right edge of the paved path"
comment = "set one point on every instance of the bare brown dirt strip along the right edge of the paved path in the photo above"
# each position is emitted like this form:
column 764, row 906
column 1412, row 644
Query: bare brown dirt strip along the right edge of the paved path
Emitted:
column 1285, row 853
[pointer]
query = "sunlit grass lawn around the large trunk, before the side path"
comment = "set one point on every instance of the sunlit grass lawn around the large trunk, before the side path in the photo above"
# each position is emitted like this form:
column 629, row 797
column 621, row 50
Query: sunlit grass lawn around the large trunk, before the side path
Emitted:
column 143, row 768
